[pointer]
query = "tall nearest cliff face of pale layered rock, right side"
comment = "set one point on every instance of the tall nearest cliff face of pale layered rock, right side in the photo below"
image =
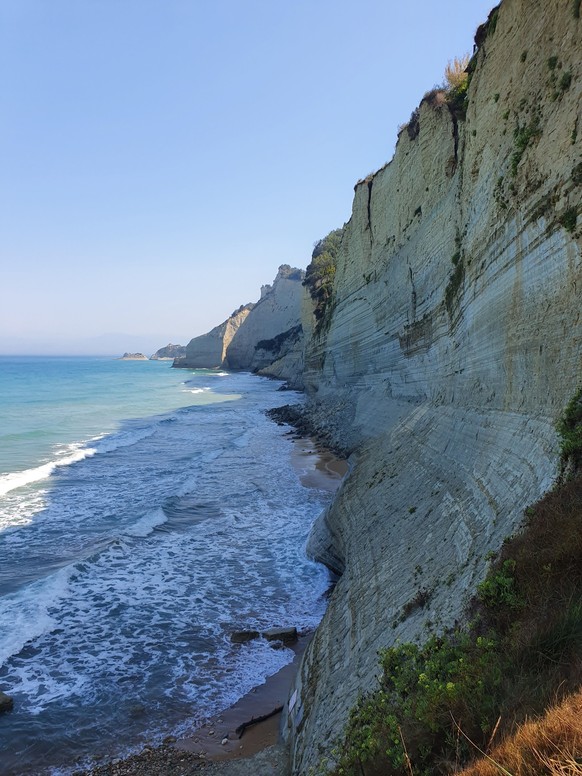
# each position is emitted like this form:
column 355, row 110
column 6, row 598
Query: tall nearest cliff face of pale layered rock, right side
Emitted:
column 454, row 343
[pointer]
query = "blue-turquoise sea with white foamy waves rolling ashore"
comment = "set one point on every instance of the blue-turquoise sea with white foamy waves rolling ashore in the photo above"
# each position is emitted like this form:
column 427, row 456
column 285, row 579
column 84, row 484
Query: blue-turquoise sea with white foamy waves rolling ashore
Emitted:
column 146, row 513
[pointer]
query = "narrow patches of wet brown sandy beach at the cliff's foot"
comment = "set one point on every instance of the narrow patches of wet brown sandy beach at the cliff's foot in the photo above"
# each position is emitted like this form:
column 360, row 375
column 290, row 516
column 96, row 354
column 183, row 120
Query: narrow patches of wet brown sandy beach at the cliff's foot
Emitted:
column 220, row 747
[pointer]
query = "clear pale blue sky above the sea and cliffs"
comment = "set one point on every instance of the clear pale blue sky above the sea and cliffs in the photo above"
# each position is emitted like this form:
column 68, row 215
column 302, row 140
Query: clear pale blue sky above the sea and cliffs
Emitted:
column 159, row 159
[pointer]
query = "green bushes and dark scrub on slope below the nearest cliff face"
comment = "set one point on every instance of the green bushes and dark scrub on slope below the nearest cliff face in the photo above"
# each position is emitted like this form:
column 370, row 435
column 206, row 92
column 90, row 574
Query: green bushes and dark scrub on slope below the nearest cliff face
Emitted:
column 519, row 651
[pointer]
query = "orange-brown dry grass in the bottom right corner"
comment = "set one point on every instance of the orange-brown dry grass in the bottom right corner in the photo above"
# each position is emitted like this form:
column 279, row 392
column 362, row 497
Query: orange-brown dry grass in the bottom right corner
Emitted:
column 551, row 745
